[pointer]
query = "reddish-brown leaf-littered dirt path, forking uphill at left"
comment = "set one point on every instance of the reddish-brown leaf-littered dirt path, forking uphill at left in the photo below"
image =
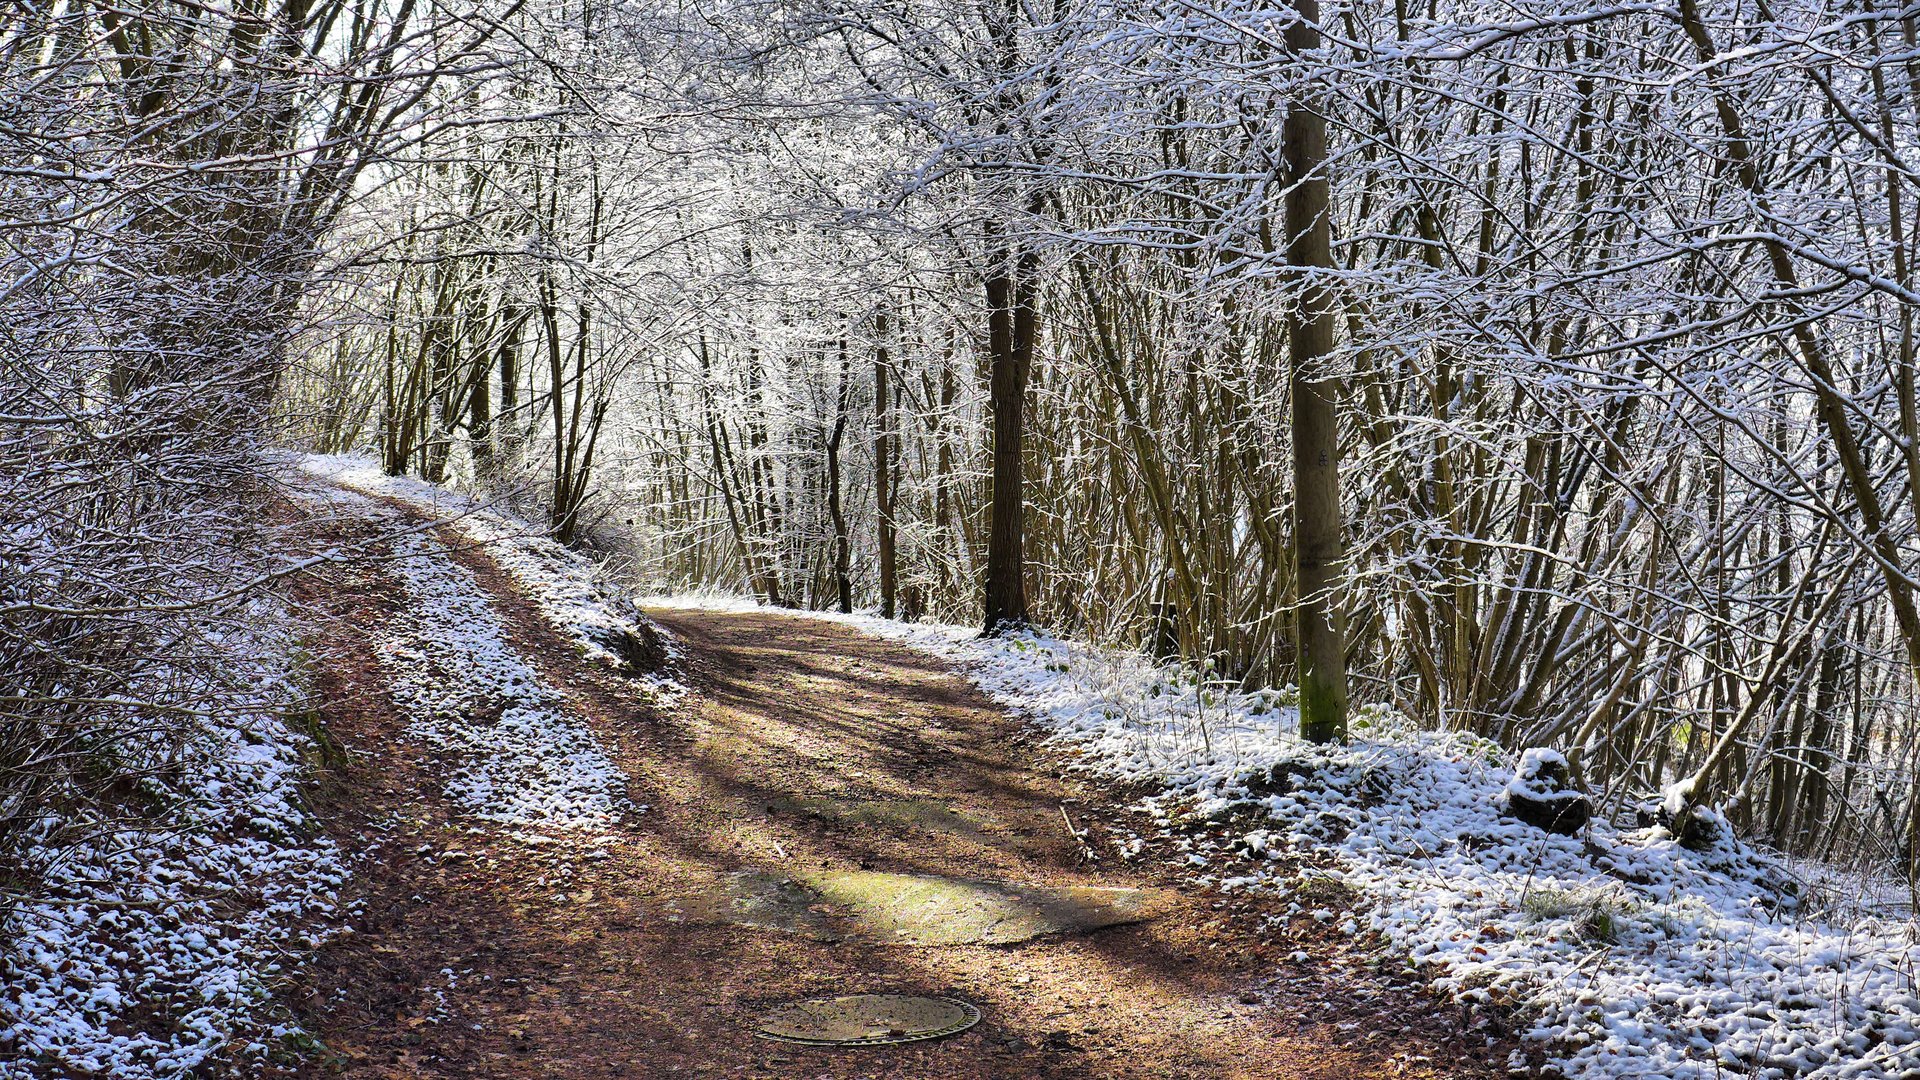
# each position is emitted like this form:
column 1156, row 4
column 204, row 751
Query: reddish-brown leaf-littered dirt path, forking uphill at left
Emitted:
column 485, row 956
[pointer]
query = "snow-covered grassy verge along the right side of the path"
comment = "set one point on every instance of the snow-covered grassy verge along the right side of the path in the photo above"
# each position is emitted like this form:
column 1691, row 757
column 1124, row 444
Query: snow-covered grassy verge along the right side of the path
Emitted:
column 1637, row 958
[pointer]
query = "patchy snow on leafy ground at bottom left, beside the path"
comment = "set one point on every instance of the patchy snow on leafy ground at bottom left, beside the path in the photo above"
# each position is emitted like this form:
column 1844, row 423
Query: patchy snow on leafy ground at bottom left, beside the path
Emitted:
column 151, row 945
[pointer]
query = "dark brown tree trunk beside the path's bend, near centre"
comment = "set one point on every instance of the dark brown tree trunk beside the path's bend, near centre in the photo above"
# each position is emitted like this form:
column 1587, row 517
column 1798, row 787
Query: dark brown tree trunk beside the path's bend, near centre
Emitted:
column 1011, row 331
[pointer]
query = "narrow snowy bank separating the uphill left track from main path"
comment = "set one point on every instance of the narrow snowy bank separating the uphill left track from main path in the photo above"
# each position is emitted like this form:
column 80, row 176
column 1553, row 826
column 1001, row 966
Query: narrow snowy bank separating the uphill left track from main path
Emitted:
column 562, row 583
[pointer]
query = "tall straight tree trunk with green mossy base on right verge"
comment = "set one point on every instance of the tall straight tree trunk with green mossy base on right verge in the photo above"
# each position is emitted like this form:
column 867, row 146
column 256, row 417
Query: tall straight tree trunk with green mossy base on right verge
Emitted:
column 1320, row 618
